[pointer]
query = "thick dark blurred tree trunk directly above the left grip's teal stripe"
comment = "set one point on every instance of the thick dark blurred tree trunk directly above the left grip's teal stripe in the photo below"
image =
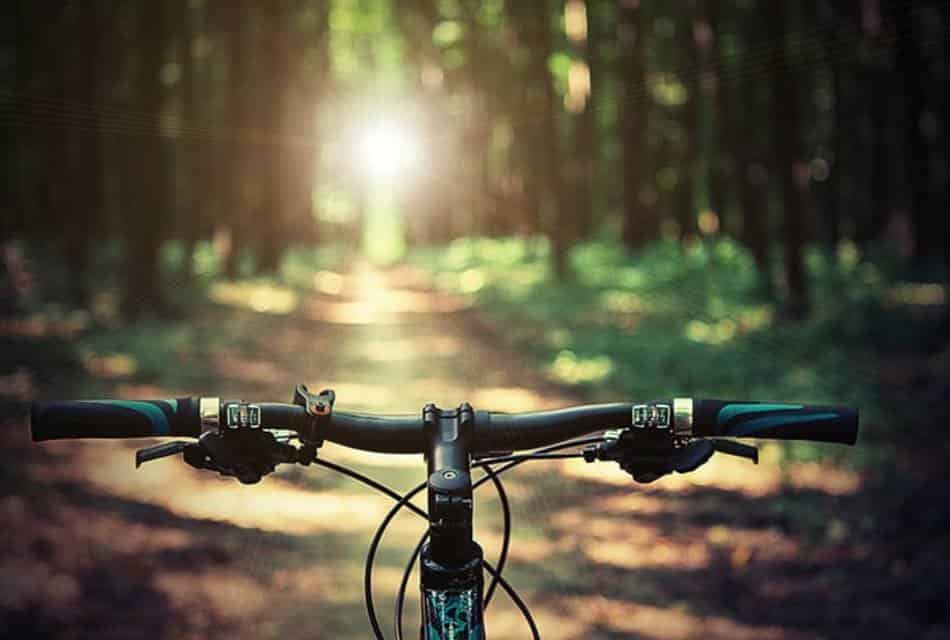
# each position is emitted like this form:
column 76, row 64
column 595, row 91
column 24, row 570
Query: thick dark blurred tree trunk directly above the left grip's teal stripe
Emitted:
column 145, row 217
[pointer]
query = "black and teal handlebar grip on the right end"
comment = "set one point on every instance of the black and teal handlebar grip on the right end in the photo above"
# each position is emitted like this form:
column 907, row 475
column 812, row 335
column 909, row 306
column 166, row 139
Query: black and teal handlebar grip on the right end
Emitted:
column 784, row 421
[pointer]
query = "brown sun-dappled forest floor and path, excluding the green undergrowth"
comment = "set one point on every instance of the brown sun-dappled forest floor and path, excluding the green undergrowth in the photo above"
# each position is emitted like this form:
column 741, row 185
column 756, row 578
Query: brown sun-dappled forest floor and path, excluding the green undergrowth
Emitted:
column 92, row 547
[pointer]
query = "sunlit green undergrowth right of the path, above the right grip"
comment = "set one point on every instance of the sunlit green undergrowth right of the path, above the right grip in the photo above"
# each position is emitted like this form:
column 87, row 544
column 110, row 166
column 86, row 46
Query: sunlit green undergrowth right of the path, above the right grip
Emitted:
column 690, row 322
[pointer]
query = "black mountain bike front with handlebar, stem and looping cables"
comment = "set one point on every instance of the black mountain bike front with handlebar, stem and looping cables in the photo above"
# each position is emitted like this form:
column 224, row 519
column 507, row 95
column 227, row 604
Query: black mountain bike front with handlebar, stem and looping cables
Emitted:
column 248, row 440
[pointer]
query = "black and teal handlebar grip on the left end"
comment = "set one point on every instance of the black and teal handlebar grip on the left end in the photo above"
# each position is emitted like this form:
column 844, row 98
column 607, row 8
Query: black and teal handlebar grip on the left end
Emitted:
column 114, row 419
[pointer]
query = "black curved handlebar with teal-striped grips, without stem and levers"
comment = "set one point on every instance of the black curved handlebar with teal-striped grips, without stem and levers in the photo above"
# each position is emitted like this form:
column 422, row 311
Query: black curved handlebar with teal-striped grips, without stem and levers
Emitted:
column 493, row 431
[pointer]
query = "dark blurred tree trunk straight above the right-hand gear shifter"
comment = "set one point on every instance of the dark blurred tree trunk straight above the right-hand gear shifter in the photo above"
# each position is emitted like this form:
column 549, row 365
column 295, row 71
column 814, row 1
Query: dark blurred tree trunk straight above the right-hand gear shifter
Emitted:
column 641, row 223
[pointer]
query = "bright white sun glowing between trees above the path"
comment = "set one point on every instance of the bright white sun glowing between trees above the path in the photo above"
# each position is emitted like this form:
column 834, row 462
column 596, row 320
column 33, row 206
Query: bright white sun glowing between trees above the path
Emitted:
column 389, row 150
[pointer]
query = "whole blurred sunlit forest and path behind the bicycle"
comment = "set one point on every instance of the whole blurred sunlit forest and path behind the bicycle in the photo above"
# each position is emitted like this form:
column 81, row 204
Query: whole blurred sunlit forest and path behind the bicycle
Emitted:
column 522, row 204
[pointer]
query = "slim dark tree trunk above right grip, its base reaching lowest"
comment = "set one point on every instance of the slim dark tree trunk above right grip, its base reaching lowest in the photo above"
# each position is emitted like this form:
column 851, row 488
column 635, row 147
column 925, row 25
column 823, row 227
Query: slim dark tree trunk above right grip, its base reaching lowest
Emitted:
column 792, row 172
